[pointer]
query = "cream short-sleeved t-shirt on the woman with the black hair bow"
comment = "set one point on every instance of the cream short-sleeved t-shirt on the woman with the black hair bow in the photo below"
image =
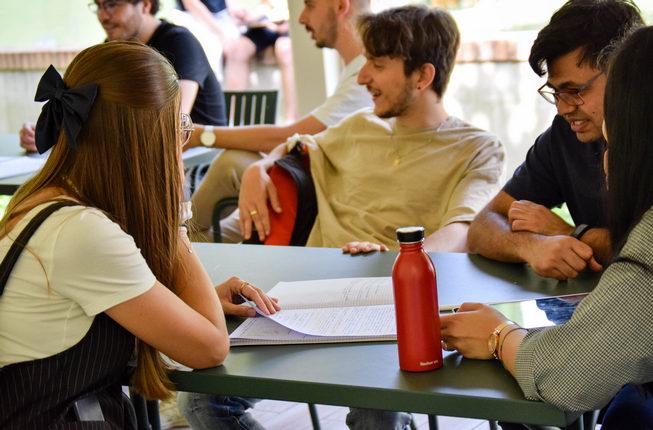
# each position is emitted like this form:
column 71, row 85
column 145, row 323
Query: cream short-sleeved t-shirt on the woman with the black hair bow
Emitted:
column 77, row 264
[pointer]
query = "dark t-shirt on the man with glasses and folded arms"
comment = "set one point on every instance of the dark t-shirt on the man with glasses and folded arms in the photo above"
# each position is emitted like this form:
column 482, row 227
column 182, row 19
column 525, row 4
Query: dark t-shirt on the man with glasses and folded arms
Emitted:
column 561, row 169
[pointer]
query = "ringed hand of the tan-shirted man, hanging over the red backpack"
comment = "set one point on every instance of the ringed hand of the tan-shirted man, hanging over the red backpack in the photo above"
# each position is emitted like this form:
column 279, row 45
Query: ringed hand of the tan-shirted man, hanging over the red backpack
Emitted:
column 255, row 190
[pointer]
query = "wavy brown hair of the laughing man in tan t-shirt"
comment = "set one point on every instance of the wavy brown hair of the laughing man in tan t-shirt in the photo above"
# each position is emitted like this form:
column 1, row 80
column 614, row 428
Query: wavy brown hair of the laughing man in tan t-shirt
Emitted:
column 416, row 34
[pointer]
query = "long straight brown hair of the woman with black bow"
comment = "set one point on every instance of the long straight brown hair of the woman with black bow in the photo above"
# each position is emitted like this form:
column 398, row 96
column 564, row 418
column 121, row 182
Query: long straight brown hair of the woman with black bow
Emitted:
column 126, row 164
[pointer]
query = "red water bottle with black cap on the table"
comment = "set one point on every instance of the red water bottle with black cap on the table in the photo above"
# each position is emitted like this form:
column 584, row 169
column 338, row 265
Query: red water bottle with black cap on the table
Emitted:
column 416, row 304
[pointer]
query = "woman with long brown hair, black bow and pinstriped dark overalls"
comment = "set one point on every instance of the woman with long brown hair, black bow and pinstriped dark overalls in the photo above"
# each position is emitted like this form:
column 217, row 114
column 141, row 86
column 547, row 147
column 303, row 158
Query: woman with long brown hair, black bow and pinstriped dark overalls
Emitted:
column 92, row 249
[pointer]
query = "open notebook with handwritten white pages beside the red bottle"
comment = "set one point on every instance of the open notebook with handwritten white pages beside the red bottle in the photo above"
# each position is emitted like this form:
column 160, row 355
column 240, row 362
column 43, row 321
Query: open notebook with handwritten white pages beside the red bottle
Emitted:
column 322, row 311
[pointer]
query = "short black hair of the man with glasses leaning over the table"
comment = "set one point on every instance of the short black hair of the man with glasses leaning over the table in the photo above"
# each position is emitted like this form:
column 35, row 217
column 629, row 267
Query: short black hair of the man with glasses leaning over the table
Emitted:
column 591, row 25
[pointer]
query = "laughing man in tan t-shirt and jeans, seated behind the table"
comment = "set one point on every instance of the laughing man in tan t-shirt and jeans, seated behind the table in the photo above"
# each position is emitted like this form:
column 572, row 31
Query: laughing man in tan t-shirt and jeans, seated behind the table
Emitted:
column 404, row 161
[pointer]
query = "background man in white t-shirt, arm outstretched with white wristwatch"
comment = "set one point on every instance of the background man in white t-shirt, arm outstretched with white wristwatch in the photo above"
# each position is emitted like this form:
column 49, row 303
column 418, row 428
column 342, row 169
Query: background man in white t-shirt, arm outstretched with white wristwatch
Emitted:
column 331, row 24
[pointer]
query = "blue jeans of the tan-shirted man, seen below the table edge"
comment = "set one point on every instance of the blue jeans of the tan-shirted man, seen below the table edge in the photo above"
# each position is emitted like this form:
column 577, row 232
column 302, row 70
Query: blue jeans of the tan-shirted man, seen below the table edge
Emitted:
column 211, row 412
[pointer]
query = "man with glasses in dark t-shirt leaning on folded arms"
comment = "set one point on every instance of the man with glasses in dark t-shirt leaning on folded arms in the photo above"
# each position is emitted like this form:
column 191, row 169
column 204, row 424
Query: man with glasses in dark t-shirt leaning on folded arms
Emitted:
column 565, row 163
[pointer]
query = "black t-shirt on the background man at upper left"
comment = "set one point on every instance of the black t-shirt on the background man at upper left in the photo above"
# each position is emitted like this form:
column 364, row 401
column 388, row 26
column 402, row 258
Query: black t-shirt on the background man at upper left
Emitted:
column 185, row 53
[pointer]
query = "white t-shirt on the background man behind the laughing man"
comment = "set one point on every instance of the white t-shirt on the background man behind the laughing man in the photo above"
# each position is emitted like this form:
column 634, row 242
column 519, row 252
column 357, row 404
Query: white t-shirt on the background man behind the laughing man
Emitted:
column 347, row 98
